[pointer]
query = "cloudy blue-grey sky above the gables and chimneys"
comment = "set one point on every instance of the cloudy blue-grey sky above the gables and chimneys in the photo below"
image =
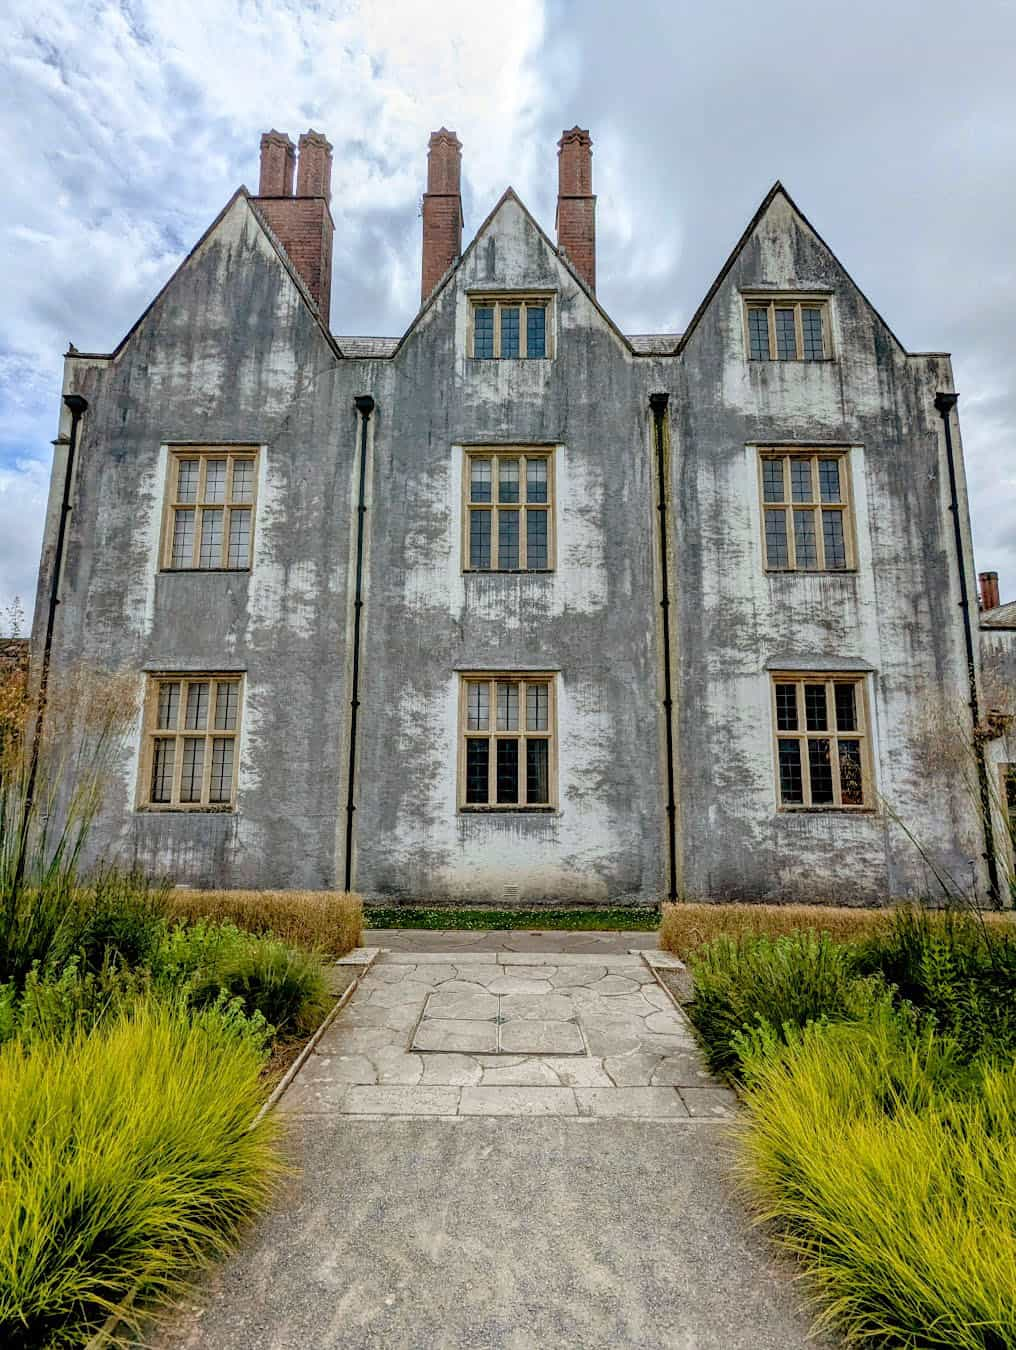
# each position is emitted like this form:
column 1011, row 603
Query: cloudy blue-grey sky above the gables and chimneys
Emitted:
column 126, row 126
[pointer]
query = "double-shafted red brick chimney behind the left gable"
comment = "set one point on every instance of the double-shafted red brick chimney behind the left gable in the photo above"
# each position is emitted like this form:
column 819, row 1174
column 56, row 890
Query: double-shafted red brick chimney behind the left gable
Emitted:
column 302, row 223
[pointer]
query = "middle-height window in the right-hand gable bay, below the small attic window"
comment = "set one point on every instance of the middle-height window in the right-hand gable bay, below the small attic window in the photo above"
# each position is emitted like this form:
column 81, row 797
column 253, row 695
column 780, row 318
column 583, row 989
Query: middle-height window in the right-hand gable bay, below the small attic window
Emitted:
column 806, row 511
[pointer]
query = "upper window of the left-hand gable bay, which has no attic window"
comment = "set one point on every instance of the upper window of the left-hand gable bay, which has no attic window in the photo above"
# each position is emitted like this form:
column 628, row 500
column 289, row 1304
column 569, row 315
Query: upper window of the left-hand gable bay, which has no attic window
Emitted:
column 210, row 518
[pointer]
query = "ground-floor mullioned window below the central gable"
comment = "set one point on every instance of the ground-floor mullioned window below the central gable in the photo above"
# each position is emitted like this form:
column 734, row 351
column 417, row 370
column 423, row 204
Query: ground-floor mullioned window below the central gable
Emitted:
column 508, row 743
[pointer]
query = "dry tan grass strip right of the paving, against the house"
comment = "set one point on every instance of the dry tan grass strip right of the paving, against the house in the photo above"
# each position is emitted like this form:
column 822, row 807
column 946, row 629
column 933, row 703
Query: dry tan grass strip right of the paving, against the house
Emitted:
column 686, row 927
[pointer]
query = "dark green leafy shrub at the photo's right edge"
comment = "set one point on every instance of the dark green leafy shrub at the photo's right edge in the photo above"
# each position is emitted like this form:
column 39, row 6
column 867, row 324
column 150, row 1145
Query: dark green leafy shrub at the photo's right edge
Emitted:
column 957, row 970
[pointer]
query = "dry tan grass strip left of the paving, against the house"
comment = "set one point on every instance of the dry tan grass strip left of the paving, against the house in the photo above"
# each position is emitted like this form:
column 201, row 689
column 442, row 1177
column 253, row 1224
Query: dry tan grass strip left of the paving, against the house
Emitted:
column 331, row 921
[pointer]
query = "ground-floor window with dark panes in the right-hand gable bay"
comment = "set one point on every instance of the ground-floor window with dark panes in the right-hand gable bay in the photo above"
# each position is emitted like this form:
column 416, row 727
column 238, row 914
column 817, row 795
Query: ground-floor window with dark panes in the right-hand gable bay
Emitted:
column 822, row 742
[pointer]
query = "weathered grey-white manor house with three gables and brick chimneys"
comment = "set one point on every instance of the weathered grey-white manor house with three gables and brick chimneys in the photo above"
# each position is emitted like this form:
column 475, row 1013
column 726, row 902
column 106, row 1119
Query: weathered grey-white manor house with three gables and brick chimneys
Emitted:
column 516, row 607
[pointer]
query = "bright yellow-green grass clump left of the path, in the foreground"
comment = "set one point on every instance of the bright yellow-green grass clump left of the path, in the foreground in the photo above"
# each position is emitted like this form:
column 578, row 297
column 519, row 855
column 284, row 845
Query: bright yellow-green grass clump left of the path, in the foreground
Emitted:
column 126, row 1156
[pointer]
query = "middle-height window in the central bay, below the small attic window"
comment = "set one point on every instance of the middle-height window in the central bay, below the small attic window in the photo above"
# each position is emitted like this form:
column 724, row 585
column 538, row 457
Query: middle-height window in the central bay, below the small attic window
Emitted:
column 509, row 511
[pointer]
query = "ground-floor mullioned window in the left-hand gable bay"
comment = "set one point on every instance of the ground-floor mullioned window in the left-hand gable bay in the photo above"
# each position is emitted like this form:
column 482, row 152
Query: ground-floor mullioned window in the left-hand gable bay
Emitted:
column 192, row 727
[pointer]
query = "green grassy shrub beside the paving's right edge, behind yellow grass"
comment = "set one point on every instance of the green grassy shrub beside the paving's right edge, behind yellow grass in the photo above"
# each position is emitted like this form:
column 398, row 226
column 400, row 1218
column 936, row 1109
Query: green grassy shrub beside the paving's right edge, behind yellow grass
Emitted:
column 781, row 982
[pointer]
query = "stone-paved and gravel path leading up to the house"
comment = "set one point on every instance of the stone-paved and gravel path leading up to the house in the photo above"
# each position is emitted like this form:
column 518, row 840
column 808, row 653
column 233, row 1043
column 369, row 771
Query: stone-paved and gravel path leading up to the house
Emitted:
column 505, row 1150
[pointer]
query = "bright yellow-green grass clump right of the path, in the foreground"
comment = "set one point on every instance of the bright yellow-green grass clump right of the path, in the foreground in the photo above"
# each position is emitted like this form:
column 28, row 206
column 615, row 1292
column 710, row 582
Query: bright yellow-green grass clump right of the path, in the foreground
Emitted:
column 888, row 1164
